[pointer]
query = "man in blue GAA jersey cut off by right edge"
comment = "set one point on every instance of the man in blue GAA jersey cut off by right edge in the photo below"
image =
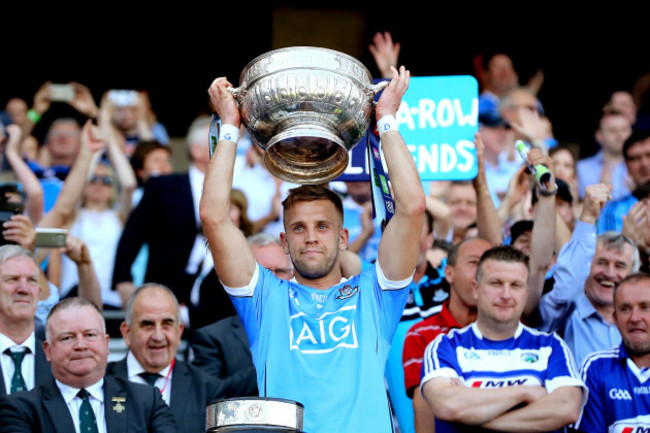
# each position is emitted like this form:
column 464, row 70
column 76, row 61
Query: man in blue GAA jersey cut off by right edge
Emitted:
column 618, row 379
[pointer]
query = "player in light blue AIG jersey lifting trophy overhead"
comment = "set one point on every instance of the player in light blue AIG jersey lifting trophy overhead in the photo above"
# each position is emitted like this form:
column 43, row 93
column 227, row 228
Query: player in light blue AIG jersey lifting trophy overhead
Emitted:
column 318, row 339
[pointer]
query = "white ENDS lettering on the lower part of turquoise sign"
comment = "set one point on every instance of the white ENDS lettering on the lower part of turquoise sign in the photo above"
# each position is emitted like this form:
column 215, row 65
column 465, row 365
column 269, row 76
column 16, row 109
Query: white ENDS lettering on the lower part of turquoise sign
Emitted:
column 443, row 158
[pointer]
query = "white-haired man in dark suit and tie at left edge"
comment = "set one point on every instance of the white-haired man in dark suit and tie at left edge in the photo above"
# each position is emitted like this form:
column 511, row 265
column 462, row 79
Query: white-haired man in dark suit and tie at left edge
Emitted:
column 19, row 295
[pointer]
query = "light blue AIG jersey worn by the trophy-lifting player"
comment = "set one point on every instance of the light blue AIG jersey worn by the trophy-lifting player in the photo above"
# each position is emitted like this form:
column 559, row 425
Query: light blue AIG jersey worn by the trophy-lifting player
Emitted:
column 326, row 349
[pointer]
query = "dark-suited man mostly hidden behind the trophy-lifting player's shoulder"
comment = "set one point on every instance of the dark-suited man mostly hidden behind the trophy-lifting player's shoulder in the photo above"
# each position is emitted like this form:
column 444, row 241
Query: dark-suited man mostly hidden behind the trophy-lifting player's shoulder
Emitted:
column 222, row 349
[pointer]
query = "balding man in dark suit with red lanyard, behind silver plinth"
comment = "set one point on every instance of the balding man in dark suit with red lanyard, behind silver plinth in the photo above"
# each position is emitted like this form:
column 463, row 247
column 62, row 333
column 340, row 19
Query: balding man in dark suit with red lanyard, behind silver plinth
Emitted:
column 152, row 331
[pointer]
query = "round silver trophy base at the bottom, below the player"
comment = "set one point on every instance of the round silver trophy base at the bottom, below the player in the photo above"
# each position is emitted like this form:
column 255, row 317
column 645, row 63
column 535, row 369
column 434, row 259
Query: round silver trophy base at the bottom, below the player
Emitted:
column 254, row 414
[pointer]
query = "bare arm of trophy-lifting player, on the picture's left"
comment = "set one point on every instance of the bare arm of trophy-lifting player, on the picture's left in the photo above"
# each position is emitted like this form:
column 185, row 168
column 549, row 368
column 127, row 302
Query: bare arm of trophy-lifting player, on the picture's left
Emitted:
column 233, row 259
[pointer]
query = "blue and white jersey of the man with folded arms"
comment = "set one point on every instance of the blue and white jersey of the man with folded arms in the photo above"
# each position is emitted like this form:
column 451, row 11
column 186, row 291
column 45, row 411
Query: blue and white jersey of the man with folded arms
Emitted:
column 528, row 358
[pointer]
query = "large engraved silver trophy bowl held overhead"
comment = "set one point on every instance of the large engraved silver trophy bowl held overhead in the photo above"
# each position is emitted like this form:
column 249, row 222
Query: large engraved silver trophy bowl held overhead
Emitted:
column 306, row 107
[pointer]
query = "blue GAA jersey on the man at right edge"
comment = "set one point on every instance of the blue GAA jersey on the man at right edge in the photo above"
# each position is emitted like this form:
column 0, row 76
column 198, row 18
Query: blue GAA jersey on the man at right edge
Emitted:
column 619, row 394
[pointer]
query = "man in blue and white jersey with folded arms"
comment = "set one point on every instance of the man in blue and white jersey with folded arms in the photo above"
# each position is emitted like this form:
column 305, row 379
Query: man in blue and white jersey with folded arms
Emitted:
column 497, row 374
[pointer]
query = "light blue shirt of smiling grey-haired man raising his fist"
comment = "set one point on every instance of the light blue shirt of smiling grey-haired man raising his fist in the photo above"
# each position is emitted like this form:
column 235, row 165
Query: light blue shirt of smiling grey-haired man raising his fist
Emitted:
column 566, row 308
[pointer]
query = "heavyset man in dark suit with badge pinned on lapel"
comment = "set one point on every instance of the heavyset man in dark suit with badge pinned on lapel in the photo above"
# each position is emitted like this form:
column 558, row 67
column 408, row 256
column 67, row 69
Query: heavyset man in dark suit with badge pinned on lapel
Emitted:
column 81, row 399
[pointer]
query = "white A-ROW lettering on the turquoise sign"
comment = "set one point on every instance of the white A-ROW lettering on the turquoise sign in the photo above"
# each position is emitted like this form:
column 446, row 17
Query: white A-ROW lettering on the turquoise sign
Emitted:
column 431, row 114
